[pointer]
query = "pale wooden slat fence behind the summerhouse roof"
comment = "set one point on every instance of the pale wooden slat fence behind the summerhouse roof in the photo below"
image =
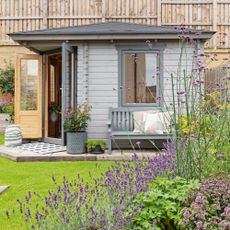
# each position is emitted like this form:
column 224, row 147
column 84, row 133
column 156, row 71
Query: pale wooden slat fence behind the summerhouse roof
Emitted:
column 24, row 15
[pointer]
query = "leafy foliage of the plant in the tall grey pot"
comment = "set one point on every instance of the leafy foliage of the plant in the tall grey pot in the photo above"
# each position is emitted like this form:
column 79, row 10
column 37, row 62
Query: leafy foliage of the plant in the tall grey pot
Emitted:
column 77, row 120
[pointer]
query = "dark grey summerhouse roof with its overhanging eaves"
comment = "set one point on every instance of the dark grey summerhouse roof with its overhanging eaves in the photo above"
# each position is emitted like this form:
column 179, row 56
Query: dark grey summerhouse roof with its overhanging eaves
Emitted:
column 49, row 38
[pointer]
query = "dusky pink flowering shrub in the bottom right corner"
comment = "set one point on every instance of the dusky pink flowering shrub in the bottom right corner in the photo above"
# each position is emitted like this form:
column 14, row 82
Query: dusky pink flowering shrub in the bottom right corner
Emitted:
column 209, row 207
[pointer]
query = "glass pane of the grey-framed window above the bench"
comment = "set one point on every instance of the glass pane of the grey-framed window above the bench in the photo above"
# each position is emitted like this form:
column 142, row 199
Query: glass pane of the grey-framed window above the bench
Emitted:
column 140, row 78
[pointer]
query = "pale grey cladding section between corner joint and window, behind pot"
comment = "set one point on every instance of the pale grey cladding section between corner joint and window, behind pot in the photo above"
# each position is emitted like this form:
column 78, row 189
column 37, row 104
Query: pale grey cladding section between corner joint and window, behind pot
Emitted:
column 102, row 86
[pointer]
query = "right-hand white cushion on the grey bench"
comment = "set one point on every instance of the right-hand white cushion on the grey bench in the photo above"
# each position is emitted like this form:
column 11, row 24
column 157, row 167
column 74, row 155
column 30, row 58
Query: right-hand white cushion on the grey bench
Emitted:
column 158, row 123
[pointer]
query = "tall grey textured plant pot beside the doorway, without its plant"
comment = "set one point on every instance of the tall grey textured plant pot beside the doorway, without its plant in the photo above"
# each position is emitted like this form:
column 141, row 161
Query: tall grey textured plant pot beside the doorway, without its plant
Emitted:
column 76, row 142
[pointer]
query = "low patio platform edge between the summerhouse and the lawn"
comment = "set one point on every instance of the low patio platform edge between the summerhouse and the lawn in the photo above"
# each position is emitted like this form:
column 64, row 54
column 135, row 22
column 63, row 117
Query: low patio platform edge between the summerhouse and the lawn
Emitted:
column 28, row 156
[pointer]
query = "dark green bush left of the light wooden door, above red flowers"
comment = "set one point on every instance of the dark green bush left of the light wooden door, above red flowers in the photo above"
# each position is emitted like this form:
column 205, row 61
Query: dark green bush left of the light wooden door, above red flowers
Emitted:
column 7, row 79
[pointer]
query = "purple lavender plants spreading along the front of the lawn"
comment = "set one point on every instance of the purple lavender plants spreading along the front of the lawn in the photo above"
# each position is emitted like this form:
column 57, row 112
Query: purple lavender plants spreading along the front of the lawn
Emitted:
column 101, row 204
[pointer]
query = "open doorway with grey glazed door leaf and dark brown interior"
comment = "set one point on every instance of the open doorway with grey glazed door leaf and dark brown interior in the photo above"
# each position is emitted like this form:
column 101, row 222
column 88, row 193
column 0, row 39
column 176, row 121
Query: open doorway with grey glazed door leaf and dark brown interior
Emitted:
column 60, row 91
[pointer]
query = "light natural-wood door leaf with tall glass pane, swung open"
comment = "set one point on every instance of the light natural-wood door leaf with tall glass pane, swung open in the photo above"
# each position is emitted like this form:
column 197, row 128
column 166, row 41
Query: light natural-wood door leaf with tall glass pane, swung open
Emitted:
column 28, row 94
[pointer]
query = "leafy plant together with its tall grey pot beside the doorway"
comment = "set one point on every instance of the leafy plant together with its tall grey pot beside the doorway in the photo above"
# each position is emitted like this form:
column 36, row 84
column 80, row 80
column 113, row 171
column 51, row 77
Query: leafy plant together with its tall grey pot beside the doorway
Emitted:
column 75, row 124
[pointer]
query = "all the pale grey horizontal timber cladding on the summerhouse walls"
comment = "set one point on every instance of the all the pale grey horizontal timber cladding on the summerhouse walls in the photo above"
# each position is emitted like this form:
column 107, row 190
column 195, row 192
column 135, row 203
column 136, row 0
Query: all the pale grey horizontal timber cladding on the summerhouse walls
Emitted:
column 102, row 85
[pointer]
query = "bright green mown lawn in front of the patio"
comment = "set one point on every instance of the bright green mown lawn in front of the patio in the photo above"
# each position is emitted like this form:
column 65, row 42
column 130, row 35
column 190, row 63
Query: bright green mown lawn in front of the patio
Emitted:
column 35, row 177
